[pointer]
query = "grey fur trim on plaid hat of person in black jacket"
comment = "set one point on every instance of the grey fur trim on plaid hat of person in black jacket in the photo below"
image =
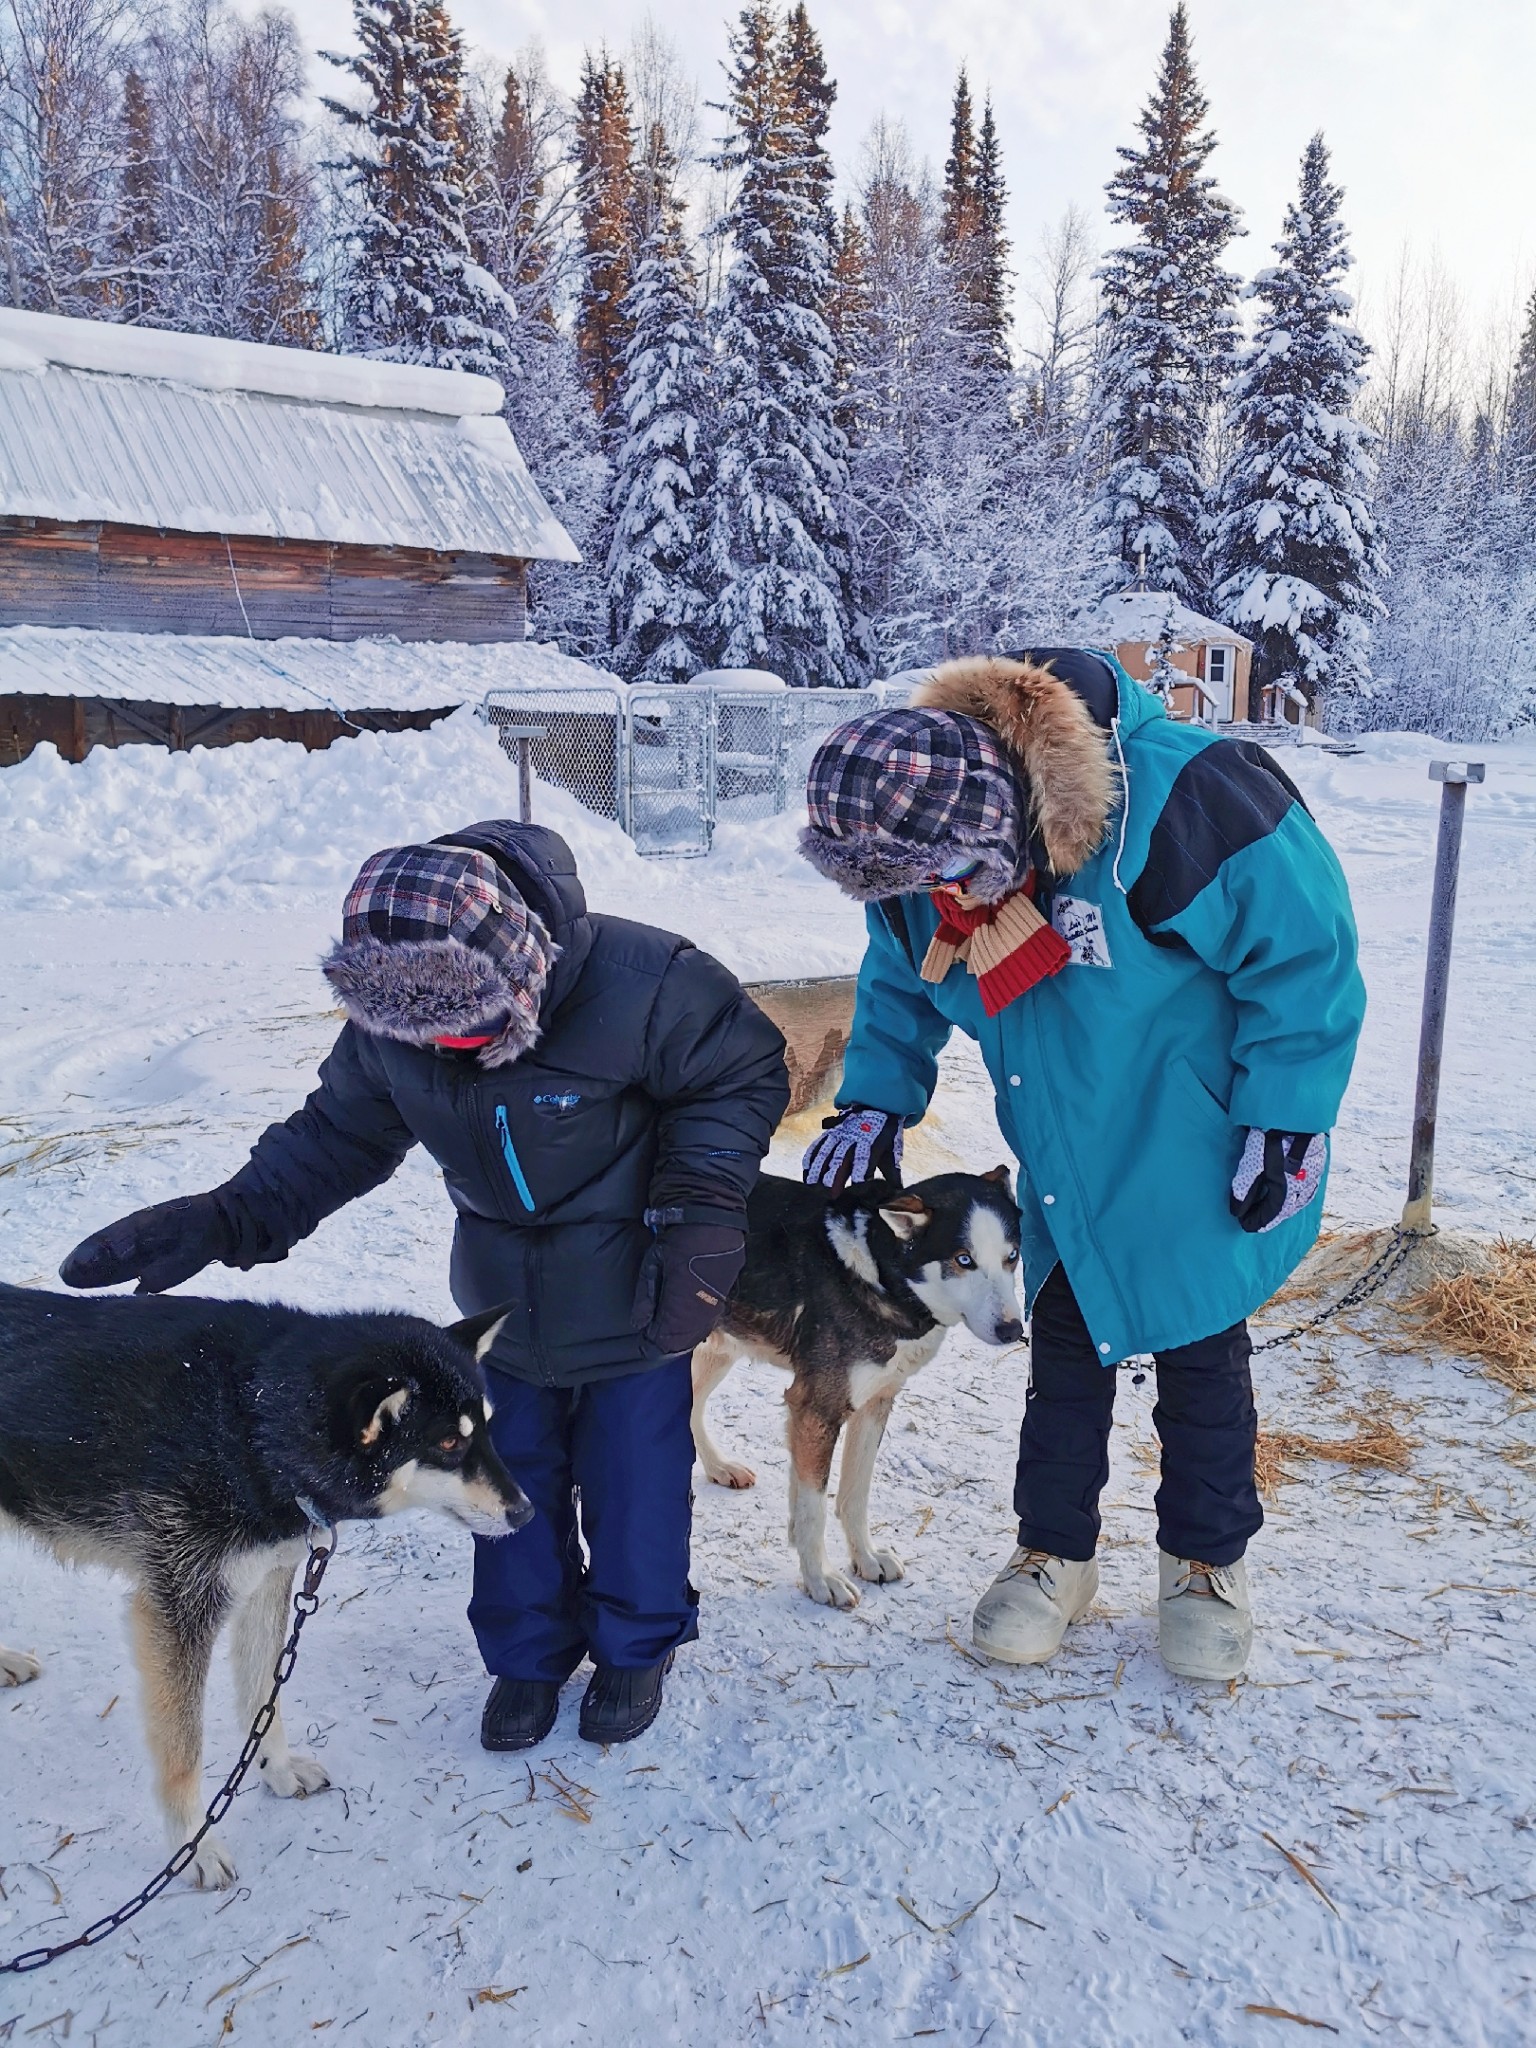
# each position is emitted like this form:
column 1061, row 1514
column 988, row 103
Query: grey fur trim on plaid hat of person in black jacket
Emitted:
column 439, row 988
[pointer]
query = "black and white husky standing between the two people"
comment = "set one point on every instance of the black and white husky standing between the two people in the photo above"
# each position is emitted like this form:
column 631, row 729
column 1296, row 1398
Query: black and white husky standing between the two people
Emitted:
column 853, row 1293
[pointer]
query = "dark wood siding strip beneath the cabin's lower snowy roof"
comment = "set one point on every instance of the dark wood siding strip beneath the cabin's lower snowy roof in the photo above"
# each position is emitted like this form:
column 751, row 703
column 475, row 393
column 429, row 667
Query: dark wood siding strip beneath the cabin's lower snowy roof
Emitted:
column 79, row 724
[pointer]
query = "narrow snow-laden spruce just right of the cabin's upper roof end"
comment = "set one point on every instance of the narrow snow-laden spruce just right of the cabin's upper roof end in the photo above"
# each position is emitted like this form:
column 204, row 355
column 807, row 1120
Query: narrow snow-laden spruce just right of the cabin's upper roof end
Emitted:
column 656, row 601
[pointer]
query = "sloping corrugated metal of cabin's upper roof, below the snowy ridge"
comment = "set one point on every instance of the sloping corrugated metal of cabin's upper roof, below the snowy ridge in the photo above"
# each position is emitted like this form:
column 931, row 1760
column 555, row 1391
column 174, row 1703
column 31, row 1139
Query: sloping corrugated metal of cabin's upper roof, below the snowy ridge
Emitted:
column 144, row 452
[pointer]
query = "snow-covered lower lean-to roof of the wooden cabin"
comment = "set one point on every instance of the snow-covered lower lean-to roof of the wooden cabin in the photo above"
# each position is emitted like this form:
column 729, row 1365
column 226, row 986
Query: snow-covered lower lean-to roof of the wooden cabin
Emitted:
column 280, row 675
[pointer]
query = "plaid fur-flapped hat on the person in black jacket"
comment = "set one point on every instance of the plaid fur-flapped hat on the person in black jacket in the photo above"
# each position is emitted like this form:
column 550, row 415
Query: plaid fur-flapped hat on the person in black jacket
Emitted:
column 439, row 945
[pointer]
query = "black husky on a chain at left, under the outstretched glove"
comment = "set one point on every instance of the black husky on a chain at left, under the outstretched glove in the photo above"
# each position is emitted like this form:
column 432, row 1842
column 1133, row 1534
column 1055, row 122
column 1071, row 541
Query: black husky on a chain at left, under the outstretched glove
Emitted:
column 189, row 1445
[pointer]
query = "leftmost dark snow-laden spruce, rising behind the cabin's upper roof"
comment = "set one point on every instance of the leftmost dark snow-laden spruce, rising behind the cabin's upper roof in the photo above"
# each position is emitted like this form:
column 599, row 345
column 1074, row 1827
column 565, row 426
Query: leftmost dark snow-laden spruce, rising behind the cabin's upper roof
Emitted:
column 413, row 292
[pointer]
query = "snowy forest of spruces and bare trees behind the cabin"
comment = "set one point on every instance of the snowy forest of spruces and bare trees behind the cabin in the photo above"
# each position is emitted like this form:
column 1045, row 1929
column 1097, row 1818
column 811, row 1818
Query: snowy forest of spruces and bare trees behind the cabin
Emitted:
column 808, row 417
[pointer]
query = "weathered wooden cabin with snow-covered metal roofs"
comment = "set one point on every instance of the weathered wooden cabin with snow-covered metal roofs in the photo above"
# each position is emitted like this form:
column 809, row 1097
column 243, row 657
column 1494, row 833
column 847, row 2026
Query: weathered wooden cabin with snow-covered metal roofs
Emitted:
column 161, row 490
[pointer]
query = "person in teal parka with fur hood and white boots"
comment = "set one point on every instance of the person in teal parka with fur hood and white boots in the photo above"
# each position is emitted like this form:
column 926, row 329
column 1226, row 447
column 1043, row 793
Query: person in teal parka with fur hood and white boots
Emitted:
column 1152, row 943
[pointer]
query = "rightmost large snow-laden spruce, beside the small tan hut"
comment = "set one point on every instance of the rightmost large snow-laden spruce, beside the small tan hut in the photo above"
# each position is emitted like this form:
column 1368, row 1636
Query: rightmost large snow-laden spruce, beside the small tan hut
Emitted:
column 1297, row 546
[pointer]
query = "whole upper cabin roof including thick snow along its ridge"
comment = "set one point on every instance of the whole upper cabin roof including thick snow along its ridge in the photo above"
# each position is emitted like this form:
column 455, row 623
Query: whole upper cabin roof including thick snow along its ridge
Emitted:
column 187, row 433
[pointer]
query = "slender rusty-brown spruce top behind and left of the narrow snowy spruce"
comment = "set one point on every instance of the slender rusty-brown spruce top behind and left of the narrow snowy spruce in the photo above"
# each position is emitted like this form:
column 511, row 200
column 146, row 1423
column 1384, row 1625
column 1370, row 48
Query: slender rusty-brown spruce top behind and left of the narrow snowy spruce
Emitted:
column 605, row 161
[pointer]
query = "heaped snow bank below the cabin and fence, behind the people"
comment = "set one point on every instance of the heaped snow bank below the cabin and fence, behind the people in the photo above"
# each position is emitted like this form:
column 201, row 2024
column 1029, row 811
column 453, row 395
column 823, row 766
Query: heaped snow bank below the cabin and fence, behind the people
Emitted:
column 269, row 828
